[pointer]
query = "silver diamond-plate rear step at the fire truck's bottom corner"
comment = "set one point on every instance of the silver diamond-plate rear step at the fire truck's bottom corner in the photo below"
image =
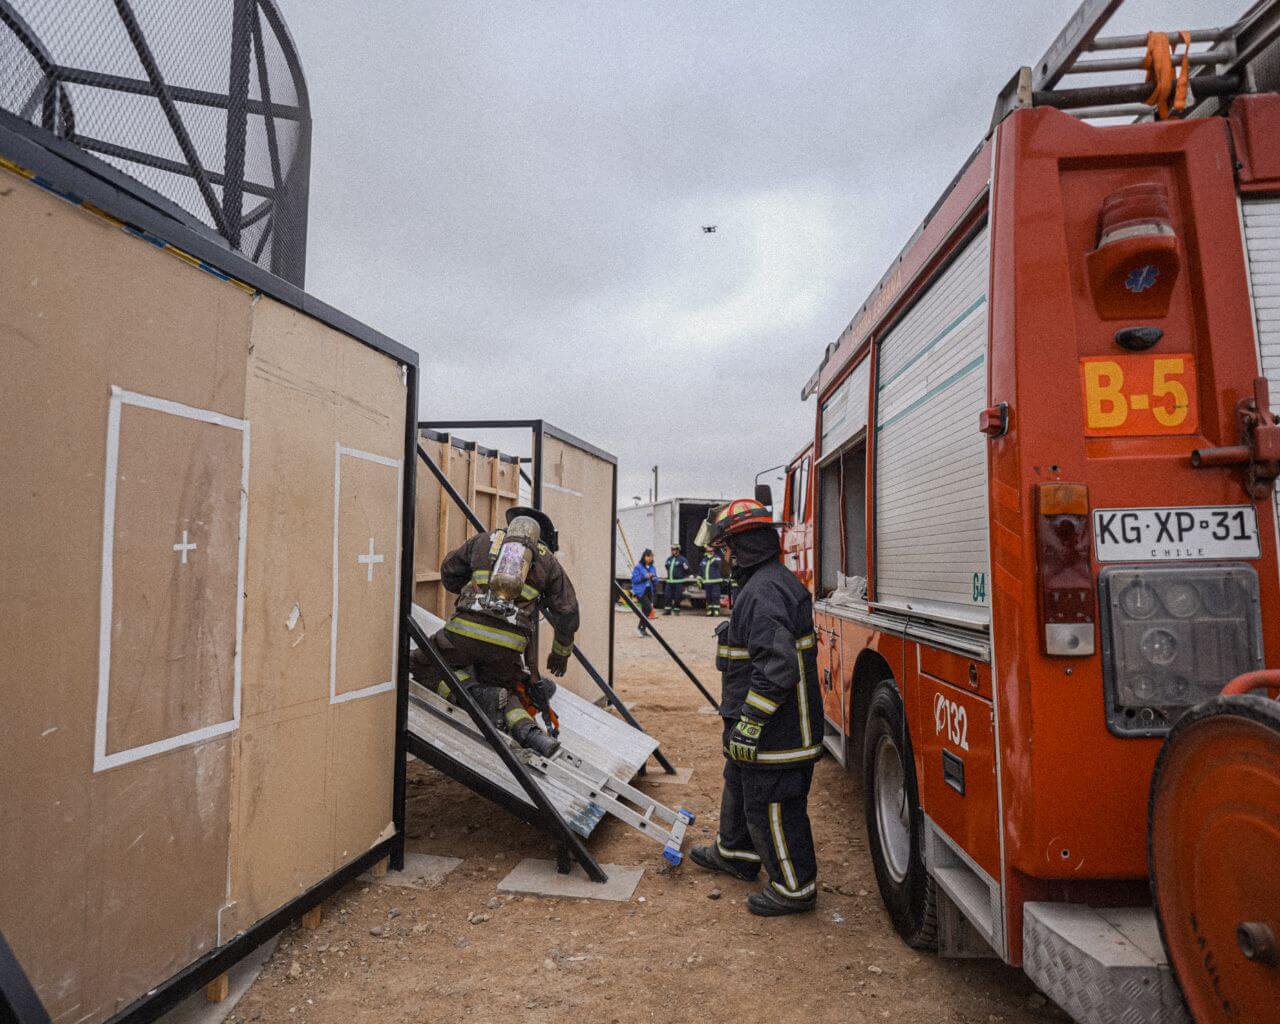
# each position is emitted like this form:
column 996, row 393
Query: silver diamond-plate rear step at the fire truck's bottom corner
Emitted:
column 1104, row 966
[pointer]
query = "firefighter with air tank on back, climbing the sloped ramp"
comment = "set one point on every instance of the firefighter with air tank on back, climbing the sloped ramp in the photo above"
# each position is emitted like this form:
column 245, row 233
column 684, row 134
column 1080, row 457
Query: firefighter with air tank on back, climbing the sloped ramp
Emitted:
column 504, row 580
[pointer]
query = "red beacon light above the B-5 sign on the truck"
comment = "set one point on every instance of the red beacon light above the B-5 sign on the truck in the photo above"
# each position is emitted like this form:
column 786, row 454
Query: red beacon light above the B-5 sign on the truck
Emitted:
column 1133, row 269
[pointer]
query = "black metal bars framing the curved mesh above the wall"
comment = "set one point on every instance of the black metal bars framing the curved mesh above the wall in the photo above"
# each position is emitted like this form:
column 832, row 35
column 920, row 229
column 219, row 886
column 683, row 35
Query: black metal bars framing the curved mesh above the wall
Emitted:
column 285, row 202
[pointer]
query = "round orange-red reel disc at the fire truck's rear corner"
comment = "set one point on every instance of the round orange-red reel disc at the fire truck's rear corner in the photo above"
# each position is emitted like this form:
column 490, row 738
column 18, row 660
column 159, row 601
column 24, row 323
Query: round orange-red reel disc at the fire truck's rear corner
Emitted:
column 1214, row 844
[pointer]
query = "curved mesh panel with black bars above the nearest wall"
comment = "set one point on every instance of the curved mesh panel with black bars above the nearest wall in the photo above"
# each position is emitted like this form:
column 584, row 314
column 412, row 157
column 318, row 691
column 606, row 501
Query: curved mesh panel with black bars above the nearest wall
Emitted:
column 203, row 102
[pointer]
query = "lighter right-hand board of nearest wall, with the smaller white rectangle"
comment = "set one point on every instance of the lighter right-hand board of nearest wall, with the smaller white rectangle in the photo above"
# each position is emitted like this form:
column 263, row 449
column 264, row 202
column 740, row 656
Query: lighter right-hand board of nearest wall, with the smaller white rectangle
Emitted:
column 310, row 394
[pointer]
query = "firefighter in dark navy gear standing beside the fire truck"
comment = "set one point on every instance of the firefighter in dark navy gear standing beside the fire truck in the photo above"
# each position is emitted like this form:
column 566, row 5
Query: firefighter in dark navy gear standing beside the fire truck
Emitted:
column 772, row 712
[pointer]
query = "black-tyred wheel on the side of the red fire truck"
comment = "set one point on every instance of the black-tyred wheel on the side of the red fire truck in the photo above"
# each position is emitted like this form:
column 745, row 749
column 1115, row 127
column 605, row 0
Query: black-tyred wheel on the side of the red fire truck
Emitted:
column 895, row 822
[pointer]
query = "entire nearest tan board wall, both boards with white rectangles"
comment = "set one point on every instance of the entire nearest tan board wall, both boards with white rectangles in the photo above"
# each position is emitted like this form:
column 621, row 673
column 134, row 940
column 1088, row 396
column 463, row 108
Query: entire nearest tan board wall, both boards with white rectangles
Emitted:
column 143, row 821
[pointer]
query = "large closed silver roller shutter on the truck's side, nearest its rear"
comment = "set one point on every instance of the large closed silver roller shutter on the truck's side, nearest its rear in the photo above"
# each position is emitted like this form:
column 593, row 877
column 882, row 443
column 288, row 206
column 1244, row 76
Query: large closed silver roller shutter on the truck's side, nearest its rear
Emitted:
column 931, row 461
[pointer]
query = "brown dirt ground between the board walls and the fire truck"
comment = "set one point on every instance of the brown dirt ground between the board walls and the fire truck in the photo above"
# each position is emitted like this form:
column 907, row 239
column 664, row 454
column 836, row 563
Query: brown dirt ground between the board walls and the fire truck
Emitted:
column 684, row 949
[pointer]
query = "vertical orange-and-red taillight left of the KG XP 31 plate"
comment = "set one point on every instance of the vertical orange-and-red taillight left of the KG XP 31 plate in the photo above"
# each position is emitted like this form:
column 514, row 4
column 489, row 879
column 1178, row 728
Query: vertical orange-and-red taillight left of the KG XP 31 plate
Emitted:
column 1068, row 606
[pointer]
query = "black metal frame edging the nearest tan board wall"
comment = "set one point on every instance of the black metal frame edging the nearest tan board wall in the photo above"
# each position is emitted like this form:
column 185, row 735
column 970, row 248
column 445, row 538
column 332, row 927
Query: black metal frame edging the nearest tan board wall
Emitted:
column 77, row 177
